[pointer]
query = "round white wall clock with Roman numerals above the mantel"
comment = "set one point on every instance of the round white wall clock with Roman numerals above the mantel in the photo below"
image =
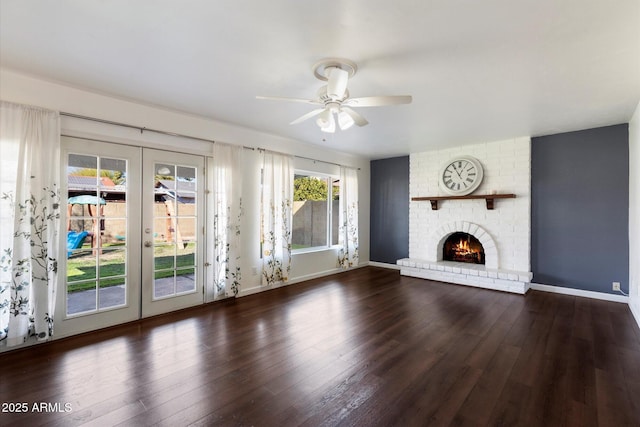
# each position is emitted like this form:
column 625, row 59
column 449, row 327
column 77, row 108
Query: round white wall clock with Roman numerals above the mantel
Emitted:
column 461, row 175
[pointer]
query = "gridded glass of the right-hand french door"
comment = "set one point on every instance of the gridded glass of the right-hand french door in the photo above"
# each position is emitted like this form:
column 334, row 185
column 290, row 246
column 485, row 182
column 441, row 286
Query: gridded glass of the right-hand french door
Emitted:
column 174, row 230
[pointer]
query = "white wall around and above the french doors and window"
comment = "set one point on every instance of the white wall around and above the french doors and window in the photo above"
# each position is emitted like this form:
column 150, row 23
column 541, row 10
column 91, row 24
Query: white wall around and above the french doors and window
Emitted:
column 20, row 88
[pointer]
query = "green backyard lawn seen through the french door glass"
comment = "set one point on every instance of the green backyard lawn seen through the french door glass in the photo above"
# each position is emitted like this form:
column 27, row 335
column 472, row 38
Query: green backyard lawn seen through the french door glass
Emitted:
column 81, row 267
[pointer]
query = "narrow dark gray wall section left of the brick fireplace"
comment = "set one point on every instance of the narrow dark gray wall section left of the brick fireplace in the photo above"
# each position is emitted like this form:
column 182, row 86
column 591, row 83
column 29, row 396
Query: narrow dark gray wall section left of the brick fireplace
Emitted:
column 389, row 238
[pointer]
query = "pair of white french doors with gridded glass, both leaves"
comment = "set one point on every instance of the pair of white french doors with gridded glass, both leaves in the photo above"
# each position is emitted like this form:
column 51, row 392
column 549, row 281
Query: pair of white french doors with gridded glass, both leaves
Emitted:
column 134, row 233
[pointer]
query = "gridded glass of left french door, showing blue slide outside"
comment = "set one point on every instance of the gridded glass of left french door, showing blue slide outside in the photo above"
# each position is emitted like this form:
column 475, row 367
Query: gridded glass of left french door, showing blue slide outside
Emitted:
column 96, row 233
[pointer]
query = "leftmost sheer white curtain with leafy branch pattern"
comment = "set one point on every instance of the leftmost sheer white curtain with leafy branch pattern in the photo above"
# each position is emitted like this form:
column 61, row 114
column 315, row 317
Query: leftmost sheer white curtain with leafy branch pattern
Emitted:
column 29, row 221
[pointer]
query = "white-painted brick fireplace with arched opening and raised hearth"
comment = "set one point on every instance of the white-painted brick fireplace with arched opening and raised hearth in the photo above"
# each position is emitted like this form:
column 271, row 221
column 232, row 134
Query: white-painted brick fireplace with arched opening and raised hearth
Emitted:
column 505, row 231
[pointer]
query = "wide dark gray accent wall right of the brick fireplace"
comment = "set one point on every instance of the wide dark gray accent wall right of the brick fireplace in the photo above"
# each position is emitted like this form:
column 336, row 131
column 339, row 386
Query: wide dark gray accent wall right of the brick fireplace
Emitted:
column 580, row 209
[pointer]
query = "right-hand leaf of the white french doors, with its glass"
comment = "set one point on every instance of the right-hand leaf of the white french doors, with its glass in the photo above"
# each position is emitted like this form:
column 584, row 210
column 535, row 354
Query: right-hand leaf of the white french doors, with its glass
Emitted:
column 172, row 248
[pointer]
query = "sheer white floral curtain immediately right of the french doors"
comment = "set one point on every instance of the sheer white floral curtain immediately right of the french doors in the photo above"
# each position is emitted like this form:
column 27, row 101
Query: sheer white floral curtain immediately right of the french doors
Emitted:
column 227, row 213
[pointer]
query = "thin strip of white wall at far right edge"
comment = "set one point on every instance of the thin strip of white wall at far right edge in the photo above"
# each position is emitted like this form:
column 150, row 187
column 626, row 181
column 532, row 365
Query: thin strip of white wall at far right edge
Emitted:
column 634, row 214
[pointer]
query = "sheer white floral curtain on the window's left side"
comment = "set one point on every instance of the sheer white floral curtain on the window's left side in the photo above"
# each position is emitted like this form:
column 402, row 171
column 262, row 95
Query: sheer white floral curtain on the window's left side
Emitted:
column 276, row 213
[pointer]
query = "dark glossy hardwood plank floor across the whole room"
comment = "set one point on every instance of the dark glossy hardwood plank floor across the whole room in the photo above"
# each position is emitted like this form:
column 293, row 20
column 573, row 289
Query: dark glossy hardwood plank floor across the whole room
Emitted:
column 366, row 348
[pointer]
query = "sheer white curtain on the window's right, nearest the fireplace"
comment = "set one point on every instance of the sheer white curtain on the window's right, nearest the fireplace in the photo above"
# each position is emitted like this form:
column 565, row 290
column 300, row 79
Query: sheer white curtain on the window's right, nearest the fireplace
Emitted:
column 348, row 218
